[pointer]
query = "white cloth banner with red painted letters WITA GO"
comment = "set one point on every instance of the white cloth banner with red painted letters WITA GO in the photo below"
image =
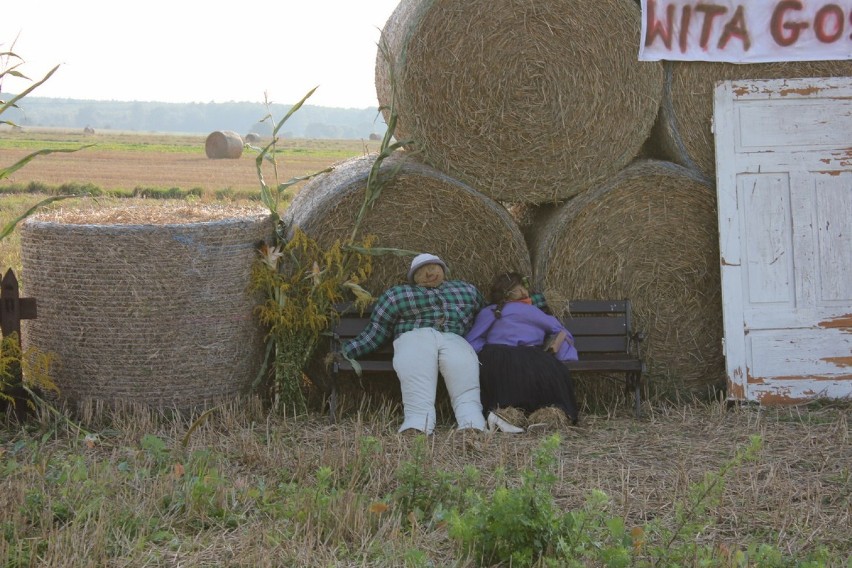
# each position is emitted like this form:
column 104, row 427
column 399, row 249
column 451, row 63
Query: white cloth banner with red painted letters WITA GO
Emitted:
column 749, row 31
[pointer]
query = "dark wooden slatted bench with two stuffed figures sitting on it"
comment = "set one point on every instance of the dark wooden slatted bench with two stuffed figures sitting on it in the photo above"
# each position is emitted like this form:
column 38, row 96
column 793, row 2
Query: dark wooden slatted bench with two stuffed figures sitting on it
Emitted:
column 603, row 336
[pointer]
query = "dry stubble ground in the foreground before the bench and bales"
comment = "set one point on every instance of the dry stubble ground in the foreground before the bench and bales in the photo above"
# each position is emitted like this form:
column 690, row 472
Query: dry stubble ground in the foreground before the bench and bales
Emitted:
column 255, row 490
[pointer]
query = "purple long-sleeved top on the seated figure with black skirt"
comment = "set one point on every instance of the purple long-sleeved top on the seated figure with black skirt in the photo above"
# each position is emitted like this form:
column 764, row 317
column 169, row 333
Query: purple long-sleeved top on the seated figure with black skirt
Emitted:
column 520, row 324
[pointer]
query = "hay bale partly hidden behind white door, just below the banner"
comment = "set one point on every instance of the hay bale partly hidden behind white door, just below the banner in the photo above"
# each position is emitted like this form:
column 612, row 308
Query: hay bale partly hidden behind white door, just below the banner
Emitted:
column 686, row 112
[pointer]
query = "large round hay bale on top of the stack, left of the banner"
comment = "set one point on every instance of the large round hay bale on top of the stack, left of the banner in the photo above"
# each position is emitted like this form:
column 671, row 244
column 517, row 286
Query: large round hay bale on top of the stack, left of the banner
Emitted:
column 524, row 101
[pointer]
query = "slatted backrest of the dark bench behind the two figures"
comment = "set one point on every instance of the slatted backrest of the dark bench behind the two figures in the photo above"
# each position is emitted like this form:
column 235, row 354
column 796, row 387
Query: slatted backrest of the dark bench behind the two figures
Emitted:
column 598, row 326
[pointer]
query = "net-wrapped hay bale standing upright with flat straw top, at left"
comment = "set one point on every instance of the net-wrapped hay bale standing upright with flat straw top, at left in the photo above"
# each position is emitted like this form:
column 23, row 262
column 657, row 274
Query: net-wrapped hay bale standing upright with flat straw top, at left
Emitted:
column 146, row 304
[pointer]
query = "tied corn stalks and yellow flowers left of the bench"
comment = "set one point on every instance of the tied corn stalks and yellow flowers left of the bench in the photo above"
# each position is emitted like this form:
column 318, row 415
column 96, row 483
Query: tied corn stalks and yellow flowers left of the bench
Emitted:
column 301, row 282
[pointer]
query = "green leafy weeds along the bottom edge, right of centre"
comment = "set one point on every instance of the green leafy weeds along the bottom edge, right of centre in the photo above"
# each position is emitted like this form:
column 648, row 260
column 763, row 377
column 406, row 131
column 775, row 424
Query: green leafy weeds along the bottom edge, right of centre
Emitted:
column 523, row 526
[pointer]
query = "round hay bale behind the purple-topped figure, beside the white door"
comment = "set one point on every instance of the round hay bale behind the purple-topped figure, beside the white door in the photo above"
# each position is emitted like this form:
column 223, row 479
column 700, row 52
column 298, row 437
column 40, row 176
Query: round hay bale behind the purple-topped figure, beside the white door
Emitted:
column 648, row 235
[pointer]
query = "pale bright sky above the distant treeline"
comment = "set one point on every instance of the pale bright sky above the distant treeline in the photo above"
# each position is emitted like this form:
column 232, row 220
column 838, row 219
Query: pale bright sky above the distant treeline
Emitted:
column 197, row 51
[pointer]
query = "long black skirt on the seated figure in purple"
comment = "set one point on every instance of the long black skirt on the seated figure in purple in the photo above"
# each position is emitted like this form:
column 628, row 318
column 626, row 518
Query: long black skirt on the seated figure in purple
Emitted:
column 525, row 377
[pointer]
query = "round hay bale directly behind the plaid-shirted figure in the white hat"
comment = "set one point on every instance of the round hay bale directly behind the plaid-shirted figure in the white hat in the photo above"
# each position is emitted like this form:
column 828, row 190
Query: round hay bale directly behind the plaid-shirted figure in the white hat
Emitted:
column 420, row 209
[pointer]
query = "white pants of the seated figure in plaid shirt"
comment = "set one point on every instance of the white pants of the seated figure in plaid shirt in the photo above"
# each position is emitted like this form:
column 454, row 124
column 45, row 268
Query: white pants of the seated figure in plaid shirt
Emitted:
column 418, row 357
